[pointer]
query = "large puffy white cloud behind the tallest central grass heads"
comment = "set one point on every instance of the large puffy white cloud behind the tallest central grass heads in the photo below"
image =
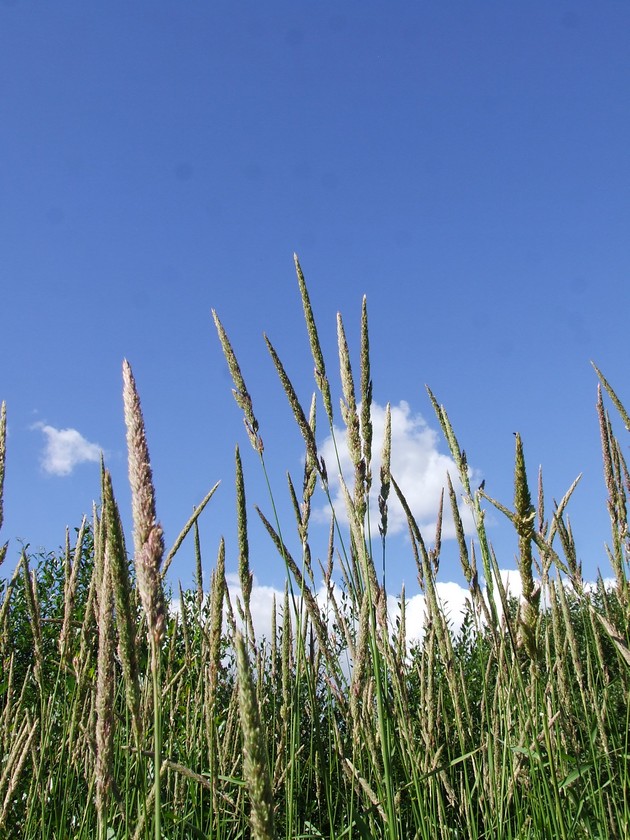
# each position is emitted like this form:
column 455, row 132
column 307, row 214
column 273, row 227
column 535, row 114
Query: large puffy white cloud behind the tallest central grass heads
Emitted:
column 416, row 463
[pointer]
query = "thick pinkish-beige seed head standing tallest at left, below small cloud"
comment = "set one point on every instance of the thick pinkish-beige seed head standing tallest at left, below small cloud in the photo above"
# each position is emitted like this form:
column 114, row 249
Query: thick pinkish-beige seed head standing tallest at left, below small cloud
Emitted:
column 147, row 532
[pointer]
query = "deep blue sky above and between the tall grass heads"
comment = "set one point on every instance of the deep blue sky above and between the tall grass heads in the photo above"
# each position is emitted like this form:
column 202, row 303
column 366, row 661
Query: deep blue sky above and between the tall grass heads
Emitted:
column 464, row 165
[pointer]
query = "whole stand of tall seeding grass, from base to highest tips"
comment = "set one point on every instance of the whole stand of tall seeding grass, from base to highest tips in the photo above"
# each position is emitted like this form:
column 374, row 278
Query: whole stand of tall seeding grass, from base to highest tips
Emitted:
column 122, row 718
